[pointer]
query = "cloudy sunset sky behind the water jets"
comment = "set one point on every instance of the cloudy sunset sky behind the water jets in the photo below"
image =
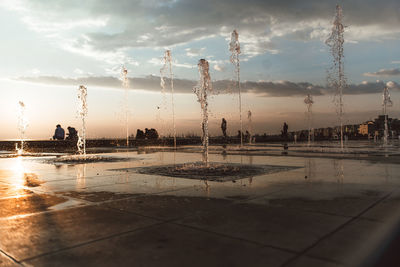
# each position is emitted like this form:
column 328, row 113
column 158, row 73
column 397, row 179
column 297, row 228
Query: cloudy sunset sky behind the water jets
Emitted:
column 49, row 48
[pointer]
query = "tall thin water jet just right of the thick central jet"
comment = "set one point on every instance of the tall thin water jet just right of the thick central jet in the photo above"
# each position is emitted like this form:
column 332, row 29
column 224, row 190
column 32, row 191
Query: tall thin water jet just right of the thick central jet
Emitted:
column 234, row 47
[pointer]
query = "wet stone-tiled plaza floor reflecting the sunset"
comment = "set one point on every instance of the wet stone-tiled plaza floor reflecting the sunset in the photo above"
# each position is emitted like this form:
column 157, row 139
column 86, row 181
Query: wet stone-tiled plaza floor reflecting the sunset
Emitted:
column 305, row 212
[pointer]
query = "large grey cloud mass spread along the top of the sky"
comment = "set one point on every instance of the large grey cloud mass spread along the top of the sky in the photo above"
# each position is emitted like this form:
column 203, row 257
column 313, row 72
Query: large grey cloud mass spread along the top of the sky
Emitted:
column 105, row 29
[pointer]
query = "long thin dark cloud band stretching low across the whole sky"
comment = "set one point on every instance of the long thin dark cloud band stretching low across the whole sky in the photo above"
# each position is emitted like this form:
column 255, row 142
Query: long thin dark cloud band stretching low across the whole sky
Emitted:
column 274, row 89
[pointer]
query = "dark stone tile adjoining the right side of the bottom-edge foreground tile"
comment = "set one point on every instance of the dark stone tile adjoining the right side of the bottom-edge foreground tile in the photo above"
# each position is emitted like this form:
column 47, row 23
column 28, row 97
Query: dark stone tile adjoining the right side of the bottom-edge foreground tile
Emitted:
column 283, row 228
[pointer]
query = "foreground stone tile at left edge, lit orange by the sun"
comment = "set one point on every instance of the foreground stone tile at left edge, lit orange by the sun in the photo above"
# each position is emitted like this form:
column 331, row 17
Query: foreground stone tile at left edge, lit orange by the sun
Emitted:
column 45, row 232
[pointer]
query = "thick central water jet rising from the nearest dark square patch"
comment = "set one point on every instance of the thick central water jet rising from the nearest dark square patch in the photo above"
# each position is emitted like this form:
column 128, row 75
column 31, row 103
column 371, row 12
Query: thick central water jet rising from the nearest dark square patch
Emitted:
column 201, row 90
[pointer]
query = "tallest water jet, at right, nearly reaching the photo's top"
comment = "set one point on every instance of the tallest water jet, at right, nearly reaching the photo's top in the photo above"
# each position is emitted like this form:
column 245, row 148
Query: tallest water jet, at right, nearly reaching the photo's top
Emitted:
column 336, row 78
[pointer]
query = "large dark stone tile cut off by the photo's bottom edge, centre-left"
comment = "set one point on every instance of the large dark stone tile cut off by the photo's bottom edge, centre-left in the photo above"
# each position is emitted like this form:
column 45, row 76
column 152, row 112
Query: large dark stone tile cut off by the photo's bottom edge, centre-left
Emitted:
column 166, row 245
